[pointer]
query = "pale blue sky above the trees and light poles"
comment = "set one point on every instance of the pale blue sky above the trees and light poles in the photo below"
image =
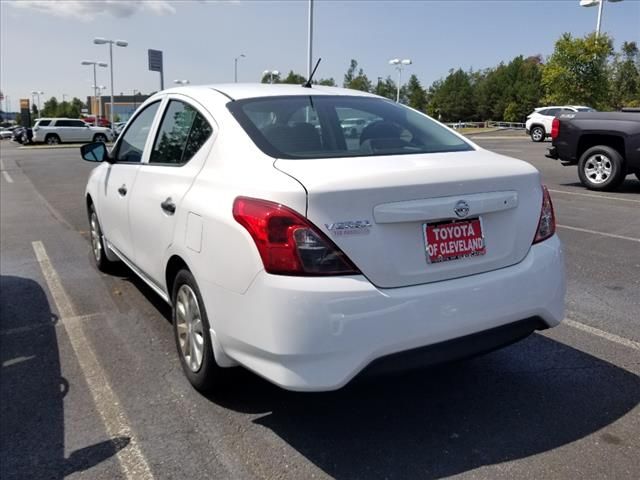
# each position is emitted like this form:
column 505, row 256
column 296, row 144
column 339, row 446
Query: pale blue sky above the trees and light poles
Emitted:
column 42, row 43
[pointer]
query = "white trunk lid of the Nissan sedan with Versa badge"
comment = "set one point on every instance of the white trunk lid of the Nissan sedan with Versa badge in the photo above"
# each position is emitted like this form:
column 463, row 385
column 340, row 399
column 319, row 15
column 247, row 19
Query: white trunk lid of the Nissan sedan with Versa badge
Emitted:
column 375, row 209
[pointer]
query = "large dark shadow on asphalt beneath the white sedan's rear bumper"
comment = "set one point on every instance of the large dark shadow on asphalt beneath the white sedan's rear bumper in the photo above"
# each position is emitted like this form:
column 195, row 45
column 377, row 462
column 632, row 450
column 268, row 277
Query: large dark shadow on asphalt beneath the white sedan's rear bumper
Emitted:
column 529, row 398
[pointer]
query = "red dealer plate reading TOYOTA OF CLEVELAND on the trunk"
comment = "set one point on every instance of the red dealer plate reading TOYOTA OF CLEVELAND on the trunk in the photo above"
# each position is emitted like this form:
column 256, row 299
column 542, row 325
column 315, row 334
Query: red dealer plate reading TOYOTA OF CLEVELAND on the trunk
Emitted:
column 454, row 240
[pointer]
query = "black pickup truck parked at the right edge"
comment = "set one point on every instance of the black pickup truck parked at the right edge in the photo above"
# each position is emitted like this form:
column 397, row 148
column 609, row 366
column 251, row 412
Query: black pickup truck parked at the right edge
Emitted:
column 605, row 145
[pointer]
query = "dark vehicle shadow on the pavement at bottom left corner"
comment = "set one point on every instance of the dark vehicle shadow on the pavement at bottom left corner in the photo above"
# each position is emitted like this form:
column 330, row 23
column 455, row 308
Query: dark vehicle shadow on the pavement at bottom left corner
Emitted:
column 32, row 390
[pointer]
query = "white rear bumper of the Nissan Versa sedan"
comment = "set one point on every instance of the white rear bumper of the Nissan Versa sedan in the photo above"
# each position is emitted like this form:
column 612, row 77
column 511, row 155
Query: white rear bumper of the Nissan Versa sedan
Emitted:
column 314, row 334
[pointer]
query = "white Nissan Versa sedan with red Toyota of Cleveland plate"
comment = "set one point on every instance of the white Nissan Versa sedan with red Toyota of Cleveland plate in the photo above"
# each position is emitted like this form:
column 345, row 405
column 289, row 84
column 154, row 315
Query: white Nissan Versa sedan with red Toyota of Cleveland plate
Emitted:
column 304, row 256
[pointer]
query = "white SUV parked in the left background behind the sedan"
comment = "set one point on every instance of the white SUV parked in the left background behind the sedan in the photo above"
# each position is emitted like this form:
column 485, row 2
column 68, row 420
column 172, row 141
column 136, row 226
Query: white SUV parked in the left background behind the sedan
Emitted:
column 58, row 130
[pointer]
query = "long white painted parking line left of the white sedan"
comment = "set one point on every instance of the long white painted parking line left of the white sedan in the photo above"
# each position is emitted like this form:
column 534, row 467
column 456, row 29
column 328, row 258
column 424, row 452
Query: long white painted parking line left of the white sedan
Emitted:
column 134, row 464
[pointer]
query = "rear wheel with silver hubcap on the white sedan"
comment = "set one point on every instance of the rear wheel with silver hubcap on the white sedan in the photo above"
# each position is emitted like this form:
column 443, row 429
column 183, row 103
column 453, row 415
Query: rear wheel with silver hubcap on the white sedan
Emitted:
column 192, row 333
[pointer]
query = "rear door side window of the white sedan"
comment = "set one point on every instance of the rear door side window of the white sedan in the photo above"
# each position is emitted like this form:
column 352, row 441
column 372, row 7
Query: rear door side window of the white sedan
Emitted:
column 181, row 134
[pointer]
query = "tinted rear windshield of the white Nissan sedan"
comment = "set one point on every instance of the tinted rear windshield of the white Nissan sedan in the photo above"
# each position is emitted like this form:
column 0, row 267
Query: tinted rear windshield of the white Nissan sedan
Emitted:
column 297, row 127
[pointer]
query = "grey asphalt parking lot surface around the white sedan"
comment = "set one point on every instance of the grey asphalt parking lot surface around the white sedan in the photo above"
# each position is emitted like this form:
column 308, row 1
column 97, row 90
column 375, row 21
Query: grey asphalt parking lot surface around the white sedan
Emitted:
column 91, row 386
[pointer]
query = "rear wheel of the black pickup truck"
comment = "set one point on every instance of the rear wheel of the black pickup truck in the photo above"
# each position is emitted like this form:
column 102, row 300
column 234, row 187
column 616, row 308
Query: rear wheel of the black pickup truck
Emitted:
column 601, row 168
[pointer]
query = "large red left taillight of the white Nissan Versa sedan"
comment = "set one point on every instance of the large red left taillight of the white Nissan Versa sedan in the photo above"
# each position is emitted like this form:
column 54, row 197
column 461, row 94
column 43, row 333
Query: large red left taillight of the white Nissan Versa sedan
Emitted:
column 287, row 242
